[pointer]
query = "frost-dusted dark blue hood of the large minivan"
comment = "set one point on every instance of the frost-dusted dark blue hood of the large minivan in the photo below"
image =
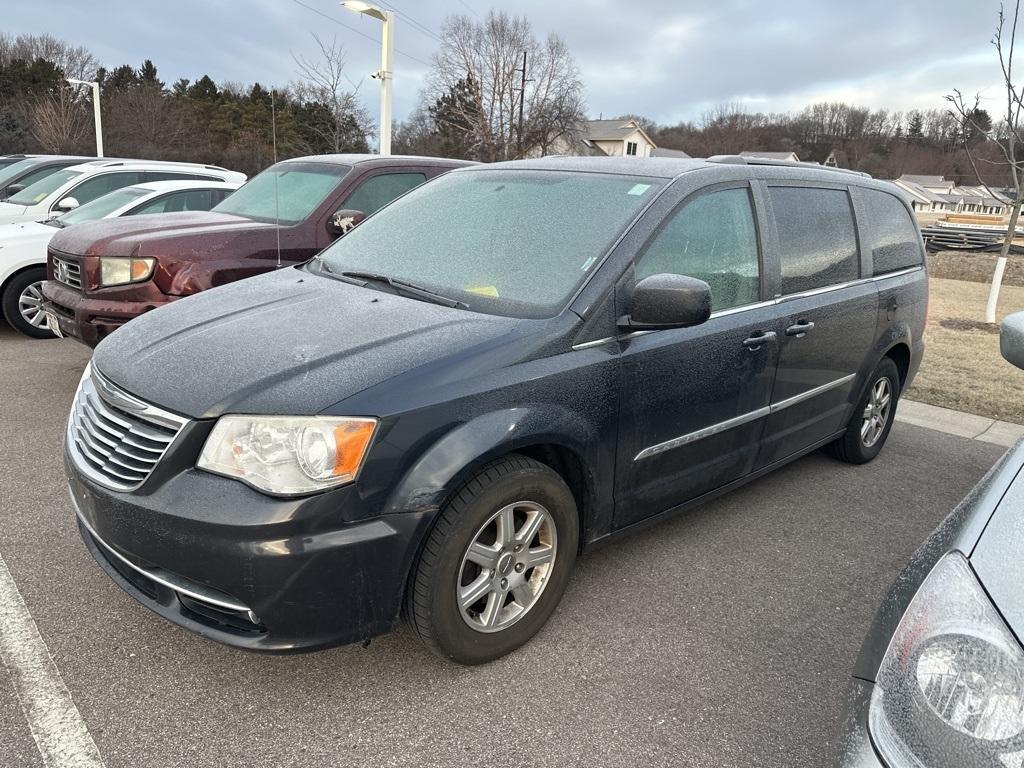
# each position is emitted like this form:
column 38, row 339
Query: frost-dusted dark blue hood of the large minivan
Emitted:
column 286, row 343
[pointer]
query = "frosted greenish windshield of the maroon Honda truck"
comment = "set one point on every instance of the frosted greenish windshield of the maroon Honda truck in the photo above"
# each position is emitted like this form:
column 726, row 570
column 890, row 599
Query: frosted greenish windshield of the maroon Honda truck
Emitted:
column 287, row 193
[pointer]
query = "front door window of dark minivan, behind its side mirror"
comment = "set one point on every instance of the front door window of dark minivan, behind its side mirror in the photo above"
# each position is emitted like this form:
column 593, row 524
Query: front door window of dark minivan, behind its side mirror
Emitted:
column 713, row 239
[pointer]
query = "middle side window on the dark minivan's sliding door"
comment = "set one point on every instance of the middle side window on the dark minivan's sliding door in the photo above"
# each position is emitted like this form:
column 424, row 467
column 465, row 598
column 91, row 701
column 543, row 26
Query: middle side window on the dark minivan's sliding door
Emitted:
column 818, row 239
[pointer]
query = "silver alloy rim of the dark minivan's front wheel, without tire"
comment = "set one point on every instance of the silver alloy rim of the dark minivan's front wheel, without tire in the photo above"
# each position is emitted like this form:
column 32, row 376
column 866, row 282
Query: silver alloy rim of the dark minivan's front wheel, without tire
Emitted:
column 507, row 567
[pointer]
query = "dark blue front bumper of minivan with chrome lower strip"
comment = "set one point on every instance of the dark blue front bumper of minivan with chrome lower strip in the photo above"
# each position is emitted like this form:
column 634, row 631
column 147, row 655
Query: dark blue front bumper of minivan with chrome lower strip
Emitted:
column 246, row 570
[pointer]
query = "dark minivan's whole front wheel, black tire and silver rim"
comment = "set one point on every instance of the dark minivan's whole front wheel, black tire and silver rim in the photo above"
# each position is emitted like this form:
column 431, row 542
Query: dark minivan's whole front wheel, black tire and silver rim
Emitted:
column 448, row 575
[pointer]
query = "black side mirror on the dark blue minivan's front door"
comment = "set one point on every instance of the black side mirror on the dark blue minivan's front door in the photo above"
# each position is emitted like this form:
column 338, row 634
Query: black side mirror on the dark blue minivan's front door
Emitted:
column 668, row 302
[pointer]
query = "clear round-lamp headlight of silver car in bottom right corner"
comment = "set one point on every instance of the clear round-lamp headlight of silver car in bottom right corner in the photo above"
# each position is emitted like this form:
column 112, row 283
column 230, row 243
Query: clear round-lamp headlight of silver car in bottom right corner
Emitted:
column 951, row 689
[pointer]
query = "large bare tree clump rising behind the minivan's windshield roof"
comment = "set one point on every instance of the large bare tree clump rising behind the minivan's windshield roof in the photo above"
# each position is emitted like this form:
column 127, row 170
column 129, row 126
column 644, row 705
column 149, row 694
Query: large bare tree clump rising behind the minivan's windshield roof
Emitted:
column 489, row 55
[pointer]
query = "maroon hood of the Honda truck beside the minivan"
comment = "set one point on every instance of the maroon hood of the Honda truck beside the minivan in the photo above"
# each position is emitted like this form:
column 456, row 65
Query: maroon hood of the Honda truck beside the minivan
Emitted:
column 129, row 236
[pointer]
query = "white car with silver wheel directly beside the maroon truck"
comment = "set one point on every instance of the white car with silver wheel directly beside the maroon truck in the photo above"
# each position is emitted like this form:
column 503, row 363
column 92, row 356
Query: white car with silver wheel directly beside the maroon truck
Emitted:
column 23, row 246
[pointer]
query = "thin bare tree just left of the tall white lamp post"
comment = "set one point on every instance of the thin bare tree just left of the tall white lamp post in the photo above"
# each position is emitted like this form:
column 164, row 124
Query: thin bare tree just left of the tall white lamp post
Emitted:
column 325, row 82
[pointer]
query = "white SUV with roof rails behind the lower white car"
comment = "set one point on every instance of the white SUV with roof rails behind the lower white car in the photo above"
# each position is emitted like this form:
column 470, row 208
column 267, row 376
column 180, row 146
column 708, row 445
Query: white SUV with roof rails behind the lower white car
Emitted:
column 78, row 185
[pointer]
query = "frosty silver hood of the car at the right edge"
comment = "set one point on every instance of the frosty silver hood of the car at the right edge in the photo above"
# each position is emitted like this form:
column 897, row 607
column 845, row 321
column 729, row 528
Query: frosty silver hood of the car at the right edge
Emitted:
column 999, row 559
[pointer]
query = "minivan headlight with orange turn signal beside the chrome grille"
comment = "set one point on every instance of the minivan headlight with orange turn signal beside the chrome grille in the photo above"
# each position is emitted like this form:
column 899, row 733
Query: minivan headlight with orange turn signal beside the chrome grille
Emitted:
column 288, row 455
